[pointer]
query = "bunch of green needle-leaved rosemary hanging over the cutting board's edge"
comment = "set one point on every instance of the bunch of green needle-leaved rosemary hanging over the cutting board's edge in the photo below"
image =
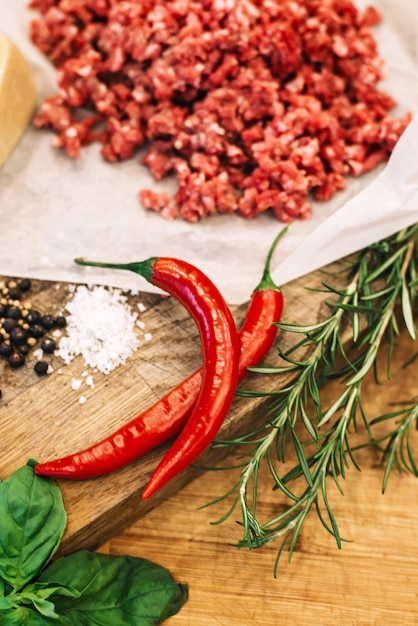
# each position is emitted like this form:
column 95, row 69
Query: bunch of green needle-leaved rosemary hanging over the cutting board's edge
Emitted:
column 377, row 301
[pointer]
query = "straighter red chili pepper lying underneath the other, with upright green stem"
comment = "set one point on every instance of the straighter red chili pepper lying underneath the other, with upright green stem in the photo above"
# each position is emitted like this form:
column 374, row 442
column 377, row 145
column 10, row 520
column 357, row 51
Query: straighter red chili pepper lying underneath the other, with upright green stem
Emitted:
column 166, row 418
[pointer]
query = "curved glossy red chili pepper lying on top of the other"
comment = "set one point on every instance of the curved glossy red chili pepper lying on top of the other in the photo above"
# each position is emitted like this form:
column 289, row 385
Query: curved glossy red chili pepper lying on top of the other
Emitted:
column 220, row 352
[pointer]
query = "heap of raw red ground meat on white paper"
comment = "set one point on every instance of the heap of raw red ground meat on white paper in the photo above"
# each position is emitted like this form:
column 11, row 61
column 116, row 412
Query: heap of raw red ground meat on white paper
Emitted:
column 254, row 105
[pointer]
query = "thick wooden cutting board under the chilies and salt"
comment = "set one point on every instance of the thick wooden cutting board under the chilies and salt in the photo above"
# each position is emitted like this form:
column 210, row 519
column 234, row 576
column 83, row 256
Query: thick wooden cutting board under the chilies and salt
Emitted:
column 42, row 418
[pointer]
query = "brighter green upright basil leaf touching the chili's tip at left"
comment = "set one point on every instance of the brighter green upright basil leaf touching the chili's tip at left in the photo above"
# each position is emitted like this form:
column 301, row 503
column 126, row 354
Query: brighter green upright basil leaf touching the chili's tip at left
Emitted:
column 32, row 522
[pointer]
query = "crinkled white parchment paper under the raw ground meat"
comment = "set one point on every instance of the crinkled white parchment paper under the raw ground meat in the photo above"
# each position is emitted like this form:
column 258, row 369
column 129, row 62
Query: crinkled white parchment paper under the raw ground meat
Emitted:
column 54, row 209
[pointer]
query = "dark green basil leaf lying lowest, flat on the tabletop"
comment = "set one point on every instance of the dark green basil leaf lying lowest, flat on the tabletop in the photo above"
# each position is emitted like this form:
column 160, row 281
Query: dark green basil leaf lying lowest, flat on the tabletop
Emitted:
column 114, row 590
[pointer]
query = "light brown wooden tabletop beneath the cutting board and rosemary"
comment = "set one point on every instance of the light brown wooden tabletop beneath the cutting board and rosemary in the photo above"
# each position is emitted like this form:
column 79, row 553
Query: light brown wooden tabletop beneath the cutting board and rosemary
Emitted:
column 372, row 580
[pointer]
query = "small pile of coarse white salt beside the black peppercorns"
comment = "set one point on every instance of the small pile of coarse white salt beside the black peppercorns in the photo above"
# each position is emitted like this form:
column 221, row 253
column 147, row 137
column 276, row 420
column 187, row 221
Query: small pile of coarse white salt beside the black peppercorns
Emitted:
column 100, row 328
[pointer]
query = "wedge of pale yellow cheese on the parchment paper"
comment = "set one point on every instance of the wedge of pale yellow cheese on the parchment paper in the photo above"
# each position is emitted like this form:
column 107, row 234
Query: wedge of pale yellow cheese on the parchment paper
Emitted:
column 17, row 96
